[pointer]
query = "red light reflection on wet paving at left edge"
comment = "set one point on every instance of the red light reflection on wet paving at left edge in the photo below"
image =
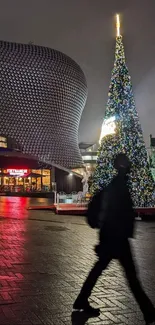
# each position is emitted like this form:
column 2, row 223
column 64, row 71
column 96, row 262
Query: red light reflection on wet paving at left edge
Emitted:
column 14, row 258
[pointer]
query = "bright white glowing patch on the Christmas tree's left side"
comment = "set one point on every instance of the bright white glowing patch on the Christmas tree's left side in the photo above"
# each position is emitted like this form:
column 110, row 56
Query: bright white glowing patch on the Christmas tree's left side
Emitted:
column 108, row 127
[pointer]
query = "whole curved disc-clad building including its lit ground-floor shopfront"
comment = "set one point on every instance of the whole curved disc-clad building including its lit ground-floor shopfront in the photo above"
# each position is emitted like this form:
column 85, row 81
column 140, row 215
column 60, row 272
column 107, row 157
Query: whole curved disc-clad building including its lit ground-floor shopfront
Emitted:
column 43, row 94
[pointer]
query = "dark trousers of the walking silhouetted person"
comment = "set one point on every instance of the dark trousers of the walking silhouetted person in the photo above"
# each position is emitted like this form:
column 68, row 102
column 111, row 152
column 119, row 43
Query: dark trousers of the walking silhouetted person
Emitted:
column 126, row 260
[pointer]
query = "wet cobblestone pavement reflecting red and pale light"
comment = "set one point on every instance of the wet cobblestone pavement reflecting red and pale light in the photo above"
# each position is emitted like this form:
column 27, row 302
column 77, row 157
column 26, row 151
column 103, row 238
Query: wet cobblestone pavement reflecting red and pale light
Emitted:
column 44, row 260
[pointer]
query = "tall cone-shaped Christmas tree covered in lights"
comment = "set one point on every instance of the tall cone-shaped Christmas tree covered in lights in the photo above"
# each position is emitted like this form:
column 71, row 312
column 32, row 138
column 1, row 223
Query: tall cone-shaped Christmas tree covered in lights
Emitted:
column 121, row 132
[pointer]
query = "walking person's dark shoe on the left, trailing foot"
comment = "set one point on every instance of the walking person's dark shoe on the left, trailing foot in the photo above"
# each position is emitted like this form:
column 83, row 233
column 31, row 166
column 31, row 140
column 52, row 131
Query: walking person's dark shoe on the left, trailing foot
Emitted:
column 85, row 306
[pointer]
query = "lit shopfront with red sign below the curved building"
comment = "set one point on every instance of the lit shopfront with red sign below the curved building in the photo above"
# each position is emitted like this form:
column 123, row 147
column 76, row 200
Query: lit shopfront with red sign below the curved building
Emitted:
column 25, row 180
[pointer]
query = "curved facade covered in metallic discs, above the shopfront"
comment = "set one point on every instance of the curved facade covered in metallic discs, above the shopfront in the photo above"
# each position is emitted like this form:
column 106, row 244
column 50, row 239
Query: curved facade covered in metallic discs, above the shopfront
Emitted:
column 42, row 96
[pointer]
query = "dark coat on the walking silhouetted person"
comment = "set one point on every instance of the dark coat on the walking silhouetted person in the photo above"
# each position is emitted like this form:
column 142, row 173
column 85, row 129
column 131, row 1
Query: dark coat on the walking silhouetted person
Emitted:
column 118, row 220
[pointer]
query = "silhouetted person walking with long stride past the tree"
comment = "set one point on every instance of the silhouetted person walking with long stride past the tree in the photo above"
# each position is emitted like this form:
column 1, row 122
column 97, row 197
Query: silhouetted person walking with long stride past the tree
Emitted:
column 116, row 222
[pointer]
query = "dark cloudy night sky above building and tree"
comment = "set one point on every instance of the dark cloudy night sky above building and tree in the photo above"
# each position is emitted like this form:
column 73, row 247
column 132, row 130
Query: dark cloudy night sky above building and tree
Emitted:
column 85, row 30
